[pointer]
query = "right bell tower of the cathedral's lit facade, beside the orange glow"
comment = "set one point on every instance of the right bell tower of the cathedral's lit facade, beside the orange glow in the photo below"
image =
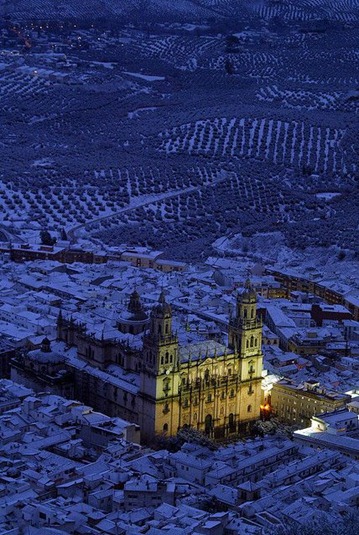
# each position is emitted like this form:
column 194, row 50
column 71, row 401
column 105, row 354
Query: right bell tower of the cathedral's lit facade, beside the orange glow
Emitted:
column 245, row 339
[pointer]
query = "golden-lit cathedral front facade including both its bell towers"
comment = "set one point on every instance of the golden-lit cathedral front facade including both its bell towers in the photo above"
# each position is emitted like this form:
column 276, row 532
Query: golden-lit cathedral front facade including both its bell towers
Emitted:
column 208, row 386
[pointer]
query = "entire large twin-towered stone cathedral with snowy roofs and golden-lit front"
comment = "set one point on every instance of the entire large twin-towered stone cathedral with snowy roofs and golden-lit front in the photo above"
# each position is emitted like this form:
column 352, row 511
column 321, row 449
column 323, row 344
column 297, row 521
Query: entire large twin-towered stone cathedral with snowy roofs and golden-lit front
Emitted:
column 146, row 376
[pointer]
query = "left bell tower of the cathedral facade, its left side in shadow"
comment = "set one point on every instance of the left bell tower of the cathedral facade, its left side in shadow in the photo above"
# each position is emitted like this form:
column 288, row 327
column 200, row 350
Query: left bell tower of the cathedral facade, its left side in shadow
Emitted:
column 160, row 372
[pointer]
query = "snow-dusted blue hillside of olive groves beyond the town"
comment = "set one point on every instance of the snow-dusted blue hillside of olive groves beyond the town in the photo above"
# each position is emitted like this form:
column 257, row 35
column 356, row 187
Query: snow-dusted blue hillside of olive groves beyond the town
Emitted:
column 182, row 125
